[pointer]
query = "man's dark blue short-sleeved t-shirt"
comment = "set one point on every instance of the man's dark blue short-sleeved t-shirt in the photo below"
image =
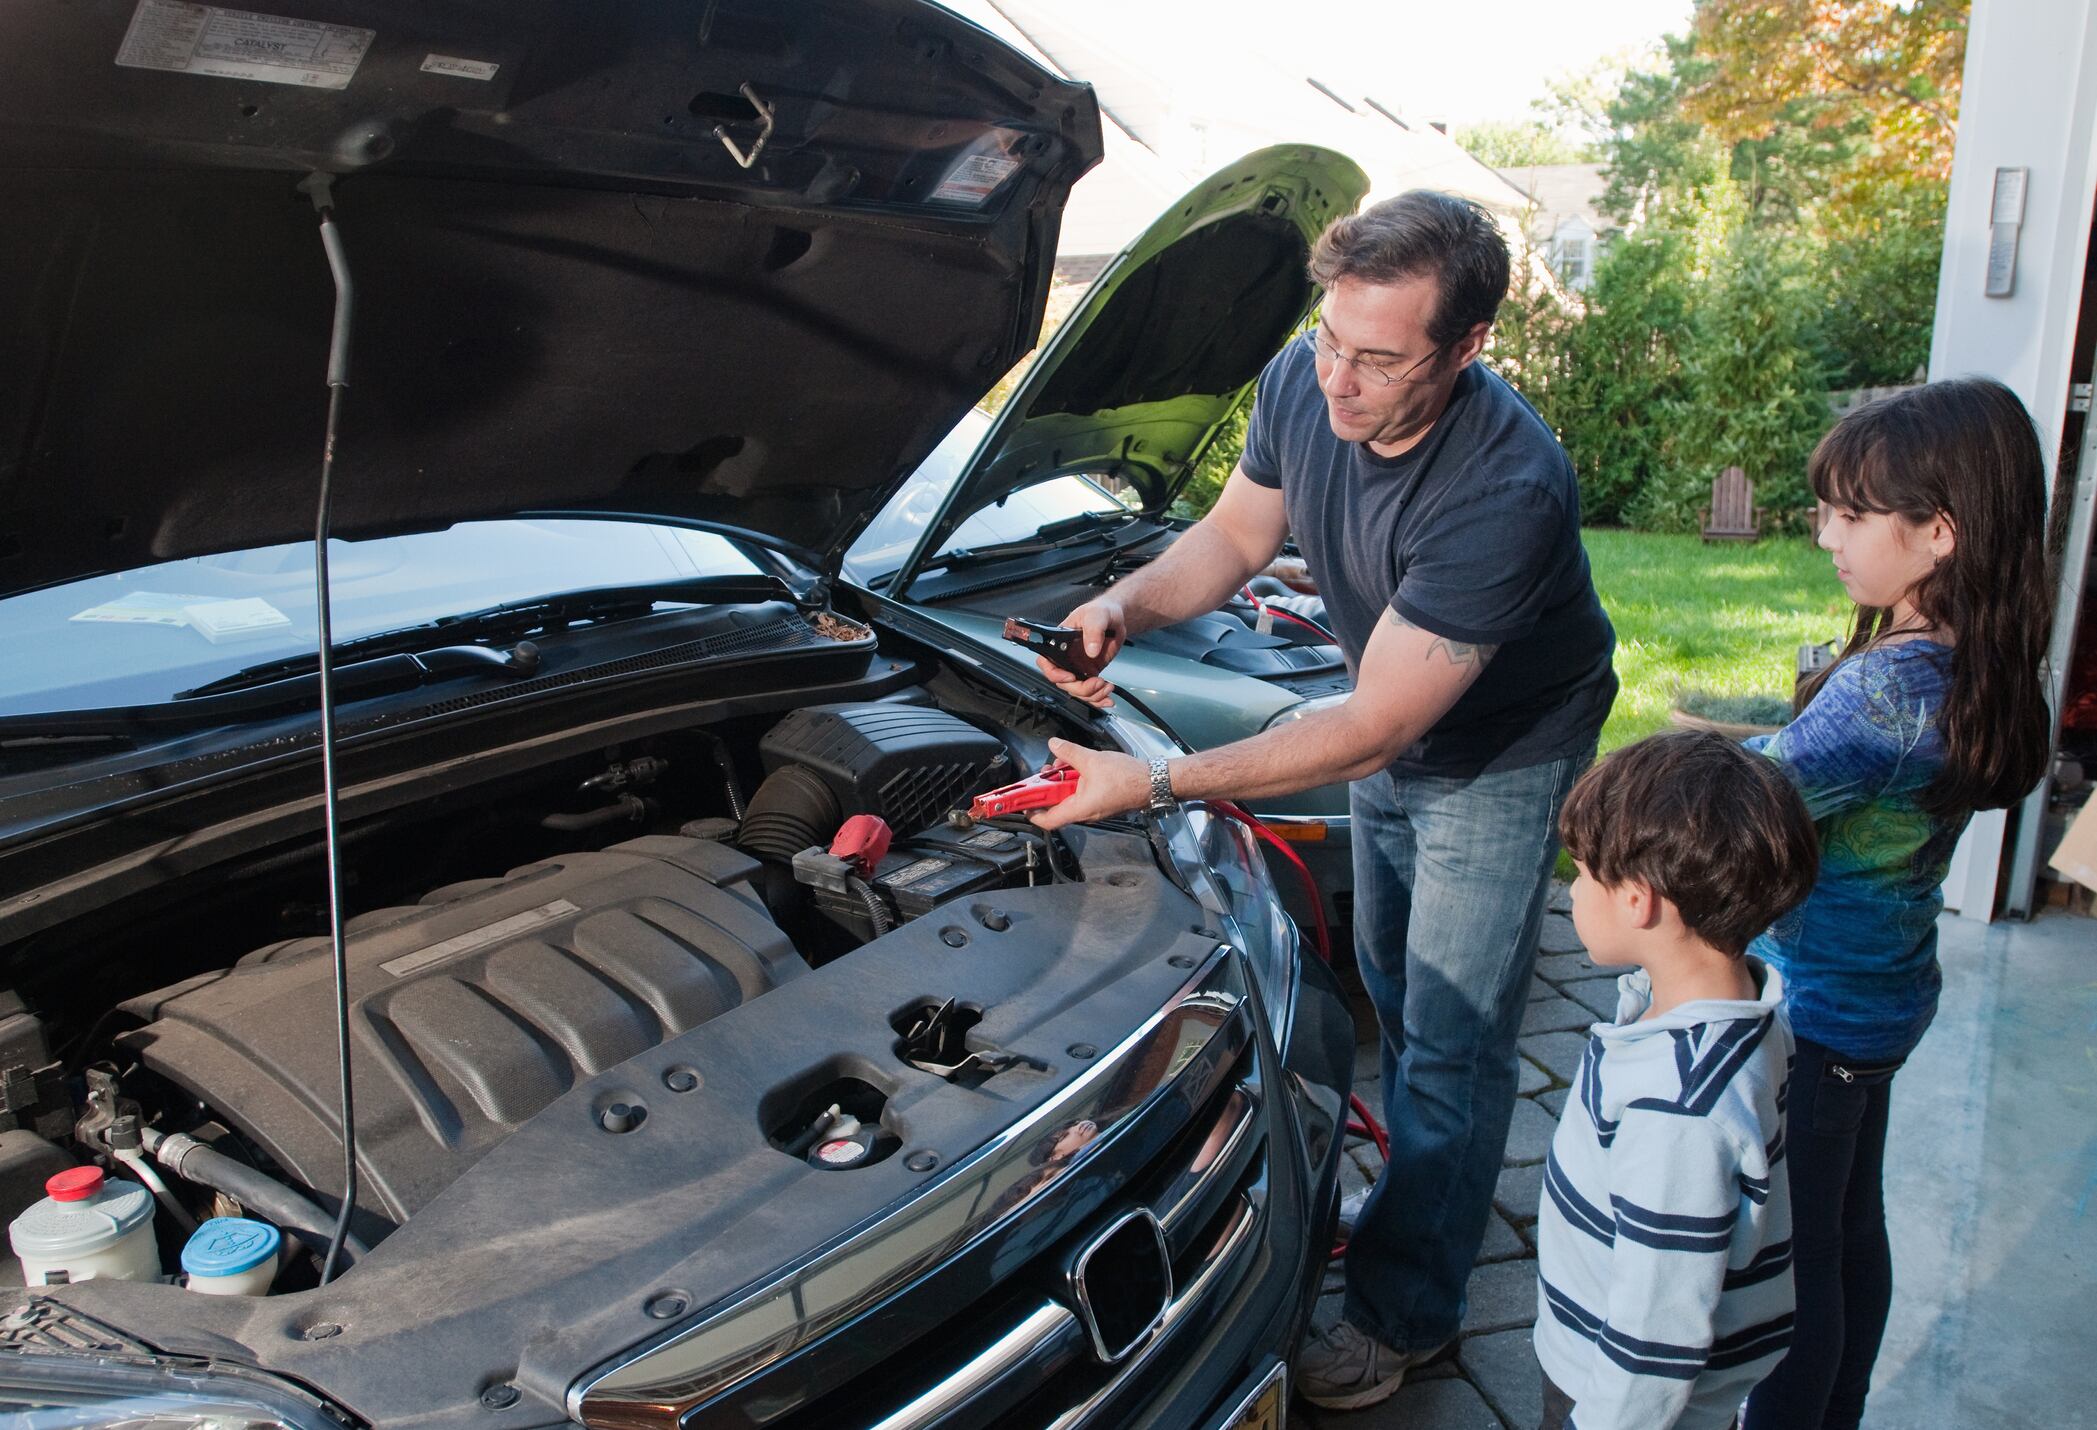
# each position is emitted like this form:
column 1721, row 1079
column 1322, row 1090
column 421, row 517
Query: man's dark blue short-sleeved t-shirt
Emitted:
column 1471, row 536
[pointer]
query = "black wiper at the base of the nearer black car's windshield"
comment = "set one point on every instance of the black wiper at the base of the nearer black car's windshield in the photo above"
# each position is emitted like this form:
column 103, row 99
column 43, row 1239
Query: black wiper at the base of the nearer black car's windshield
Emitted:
column 452, row 645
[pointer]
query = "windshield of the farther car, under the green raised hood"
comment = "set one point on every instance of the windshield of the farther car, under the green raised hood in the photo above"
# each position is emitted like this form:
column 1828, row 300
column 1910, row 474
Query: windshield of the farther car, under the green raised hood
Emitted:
column 888, row 540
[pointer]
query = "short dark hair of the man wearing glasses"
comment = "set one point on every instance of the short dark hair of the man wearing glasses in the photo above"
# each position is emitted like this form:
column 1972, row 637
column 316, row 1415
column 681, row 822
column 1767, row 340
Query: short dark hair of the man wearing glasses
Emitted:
column 1423, row 232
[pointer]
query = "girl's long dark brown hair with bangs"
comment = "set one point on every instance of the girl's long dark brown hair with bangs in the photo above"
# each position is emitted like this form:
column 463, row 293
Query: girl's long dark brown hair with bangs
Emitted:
column 1964, row 450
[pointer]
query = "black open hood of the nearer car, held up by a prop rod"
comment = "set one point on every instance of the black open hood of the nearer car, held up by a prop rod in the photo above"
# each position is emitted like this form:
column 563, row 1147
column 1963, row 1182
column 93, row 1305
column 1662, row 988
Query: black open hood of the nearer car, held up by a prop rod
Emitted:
column 571, row 295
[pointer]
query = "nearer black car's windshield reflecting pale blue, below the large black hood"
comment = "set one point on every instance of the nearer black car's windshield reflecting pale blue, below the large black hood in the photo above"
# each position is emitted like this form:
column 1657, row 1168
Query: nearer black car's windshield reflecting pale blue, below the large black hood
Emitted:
column 142, row 636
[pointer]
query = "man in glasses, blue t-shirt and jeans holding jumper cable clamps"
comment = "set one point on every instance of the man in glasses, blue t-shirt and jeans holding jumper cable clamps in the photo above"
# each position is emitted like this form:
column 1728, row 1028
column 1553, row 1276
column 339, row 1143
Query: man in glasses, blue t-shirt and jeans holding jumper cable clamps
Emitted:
column 1442, row 523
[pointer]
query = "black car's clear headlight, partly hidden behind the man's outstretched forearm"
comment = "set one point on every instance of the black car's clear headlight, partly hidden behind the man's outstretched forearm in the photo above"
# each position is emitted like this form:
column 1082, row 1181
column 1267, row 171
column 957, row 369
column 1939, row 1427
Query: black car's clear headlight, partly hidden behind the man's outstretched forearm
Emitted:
column 1224, row 867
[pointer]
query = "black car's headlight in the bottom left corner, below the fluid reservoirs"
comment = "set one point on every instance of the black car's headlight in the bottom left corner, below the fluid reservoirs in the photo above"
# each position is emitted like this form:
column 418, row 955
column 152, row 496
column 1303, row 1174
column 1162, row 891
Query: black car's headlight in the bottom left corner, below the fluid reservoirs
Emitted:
column 64, row 1393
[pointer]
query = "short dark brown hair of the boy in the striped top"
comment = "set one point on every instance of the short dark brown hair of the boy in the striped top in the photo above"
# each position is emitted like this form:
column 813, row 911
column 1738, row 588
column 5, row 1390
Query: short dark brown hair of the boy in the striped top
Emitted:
column 1712, row 829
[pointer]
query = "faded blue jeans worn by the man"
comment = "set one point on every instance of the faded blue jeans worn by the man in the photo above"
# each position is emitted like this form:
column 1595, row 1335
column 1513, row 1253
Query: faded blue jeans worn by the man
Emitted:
column 1450, row 884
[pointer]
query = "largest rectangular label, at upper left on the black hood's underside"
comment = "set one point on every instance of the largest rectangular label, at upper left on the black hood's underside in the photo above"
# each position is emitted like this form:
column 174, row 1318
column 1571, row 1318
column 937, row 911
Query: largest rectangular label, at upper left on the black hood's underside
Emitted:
column 242, row 45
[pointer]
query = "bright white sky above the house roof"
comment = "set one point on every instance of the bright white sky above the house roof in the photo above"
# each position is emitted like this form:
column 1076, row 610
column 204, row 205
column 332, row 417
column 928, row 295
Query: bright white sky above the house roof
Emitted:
column 1444, row 62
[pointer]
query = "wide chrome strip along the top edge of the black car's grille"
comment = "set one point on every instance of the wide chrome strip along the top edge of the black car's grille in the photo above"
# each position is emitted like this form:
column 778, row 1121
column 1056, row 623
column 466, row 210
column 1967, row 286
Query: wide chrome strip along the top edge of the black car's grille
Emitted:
column 704, row 1358
